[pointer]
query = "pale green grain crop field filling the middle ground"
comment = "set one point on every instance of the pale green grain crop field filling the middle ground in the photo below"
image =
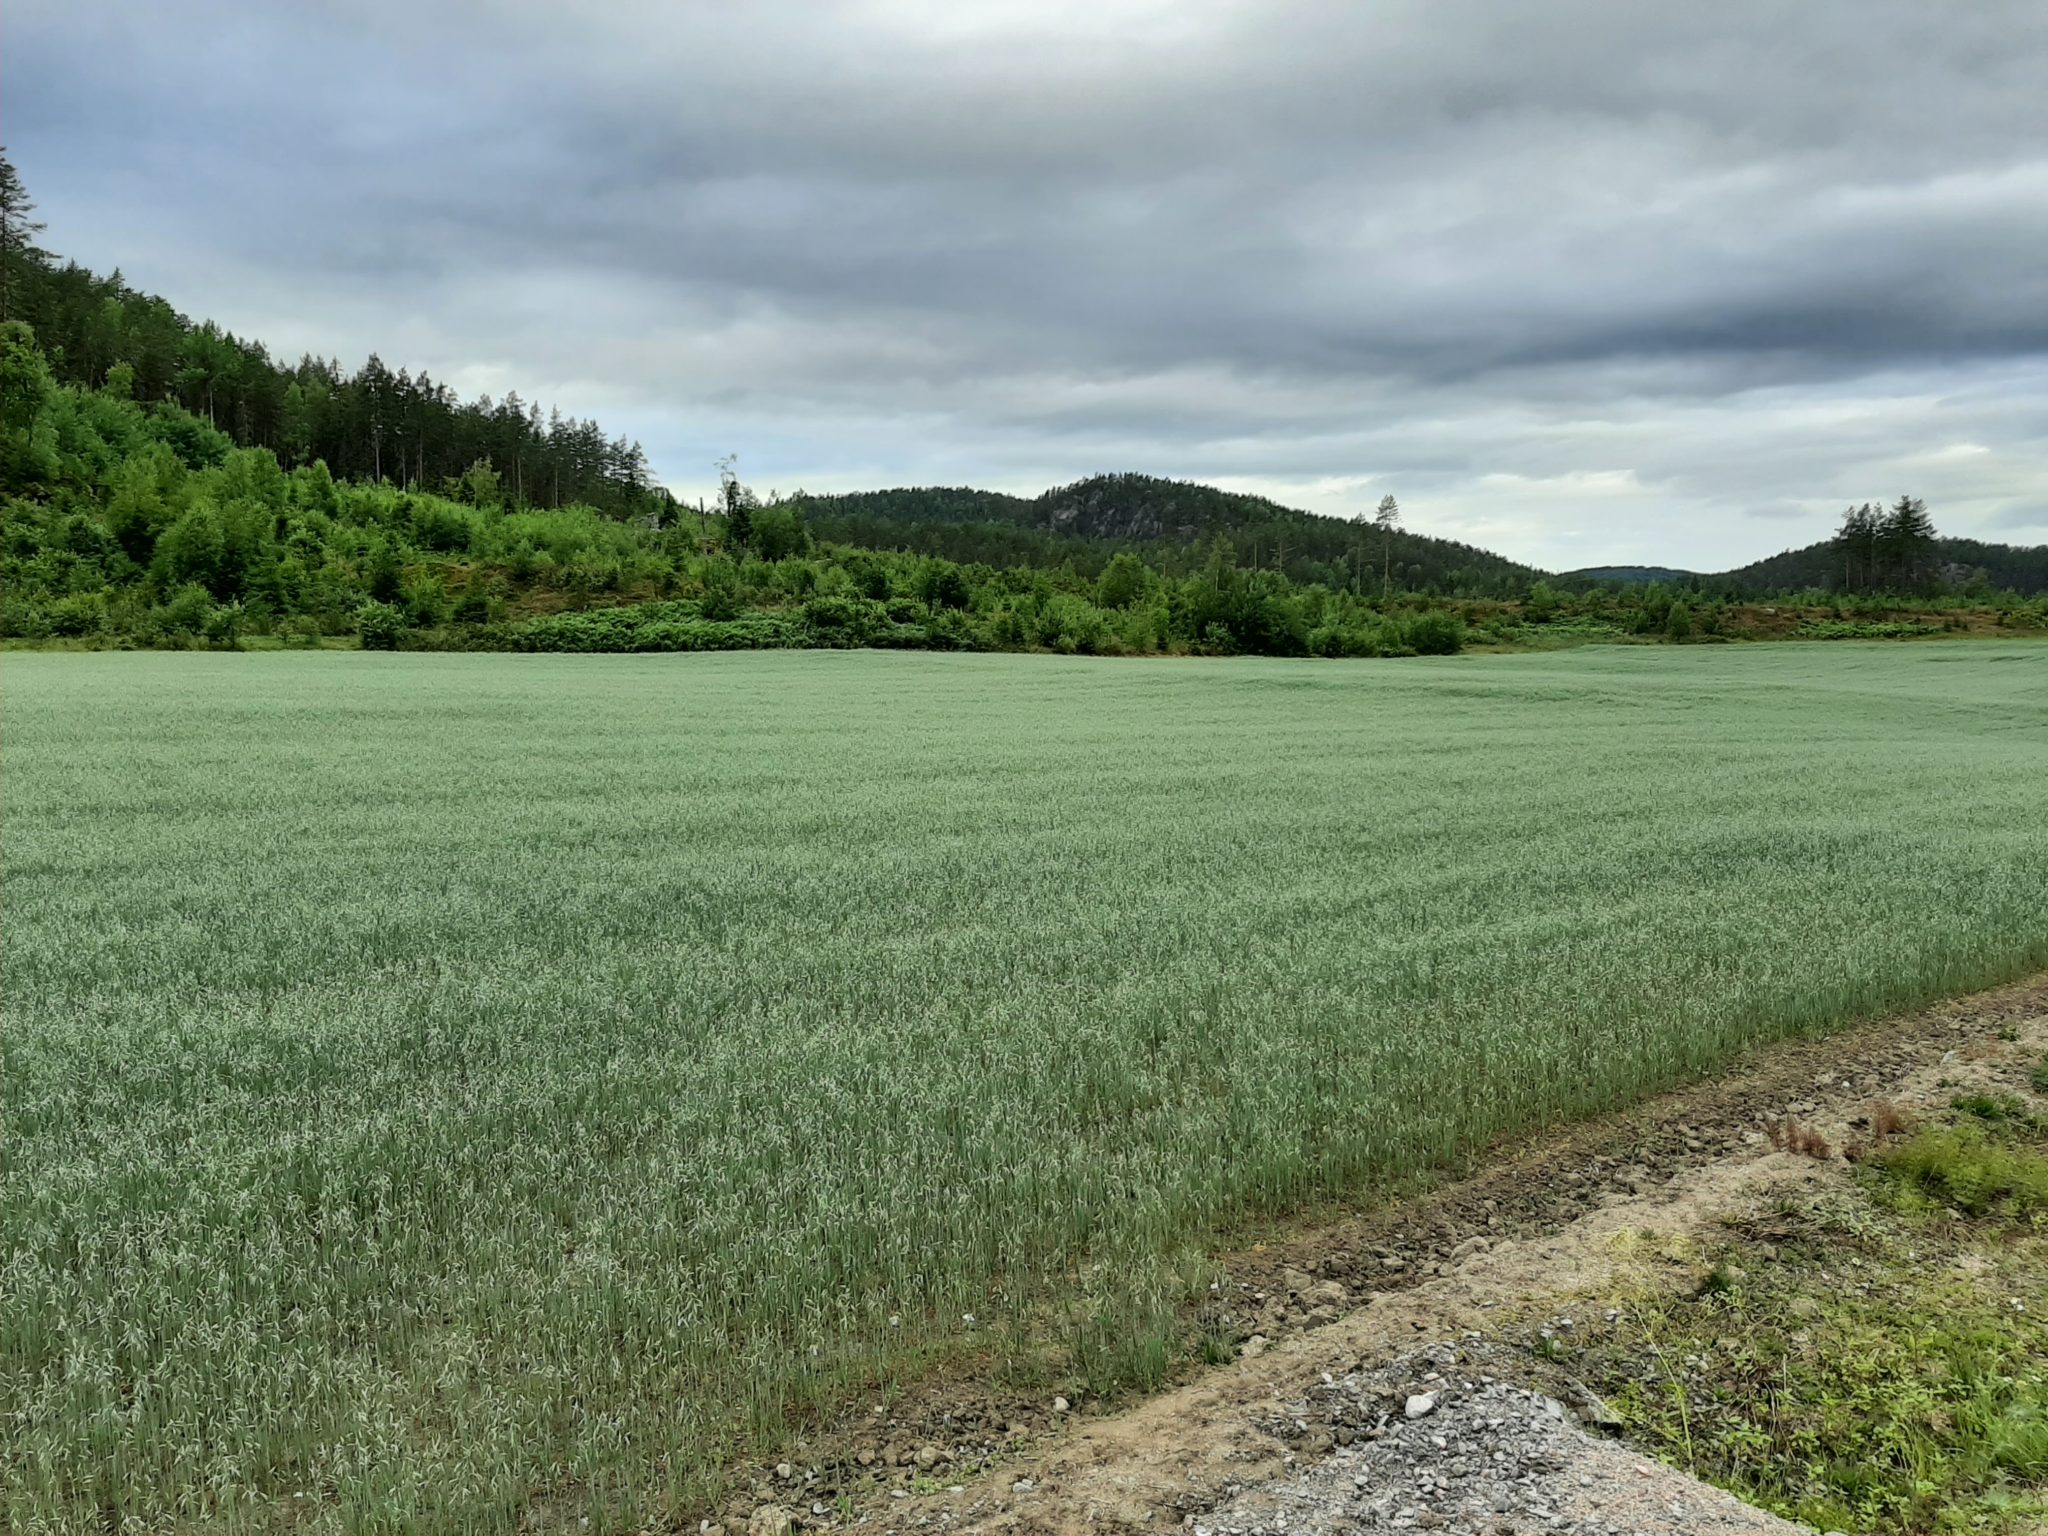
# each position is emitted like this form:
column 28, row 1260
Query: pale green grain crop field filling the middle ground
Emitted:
column 462, row 1091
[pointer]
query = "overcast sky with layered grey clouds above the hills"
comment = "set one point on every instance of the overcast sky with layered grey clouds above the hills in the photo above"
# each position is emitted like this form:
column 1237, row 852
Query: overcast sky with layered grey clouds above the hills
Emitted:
column 1582, row 282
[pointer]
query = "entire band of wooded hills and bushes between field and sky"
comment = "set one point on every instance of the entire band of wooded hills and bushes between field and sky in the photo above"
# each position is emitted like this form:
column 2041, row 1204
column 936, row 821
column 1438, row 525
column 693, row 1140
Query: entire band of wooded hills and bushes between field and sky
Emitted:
column 169, row 484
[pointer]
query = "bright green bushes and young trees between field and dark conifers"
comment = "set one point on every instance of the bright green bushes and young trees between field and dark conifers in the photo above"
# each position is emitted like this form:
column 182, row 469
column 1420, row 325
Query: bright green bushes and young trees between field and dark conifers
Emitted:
column 144, row 523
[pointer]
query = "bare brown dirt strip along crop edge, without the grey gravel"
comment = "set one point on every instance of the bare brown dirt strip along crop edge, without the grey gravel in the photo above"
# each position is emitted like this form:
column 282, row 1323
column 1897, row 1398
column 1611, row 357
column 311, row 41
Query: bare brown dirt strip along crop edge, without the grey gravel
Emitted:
column 1621, row 1201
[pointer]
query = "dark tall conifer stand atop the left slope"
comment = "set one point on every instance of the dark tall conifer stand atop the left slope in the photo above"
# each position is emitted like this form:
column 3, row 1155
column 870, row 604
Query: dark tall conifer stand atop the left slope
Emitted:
column 402, row 429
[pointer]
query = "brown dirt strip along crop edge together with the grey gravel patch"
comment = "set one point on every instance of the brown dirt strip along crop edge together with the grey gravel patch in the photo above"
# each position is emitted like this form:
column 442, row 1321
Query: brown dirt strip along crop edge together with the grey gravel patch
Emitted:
column 1342, row 1324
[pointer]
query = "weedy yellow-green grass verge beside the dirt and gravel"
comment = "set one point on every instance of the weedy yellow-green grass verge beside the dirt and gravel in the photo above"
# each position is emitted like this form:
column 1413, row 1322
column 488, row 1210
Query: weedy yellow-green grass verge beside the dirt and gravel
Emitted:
column 1867, row 1359
